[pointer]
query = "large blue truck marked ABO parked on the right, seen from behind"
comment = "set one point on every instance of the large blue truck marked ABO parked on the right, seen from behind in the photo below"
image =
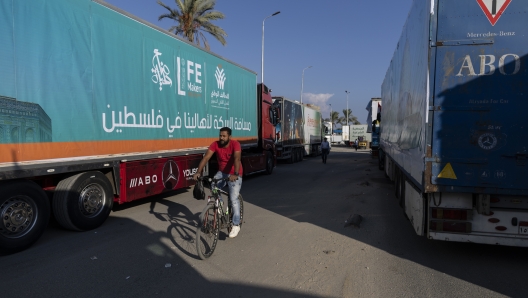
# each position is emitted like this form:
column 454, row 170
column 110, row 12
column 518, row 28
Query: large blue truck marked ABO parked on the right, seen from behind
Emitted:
column 452, row 135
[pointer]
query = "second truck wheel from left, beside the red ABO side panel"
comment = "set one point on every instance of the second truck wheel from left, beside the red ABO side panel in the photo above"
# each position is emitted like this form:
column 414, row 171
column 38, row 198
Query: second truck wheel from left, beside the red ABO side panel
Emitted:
column 83, row 202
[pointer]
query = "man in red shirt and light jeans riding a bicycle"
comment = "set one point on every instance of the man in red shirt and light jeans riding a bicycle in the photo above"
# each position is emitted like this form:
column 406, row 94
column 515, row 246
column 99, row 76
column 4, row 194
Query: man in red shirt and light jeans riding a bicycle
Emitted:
column 228, row 153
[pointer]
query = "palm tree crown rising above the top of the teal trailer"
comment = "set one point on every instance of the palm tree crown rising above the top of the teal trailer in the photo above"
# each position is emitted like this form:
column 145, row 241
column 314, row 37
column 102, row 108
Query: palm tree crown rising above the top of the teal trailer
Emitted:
column 193, row 17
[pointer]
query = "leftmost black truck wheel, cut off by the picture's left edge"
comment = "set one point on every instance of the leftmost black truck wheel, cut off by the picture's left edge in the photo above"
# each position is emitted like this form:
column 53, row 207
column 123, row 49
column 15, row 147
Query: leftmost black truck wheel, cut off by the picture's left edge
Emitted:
column 25, row 212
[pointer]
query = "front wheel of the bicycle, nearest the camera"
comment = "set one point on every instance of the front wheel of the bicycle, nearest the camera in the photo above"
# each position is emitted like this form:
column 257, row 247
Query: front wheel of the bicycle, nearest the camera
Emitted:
column 207, row 232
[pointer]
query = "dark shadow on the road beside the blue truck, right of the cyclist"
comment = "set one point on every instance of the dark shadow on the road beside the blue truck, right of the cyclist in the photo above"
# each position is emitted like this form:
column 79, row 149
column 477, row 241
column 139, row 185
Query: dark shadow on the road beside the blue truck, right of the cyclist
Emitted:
column 326, row 195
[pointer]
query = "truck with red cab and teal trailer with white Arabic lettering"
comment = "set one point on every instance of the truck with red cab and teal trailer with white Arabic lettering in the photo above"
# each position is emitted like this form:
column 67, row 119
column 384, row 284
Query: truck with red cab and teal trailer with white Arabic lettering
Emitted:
column 99, row 107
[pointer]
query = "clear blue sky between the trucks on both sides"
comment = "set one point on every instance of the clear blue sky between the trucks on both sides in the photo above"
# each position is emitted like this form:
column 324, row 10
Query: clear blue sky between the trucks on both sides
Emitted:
column 348, row 44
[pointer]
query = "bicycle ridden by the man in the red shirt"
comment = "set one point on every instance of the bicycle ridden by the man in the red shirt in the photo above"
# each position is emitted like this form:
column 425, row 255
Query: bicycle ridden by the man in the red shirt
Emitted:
column 213, row 218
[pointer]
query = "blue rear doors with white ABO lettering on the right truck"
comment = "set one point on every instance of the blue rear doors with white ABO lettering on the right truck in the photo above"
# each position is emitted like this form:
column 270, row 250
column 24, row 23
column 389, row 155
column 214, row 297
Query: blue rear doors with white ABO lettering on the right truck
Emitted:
column 480, row 135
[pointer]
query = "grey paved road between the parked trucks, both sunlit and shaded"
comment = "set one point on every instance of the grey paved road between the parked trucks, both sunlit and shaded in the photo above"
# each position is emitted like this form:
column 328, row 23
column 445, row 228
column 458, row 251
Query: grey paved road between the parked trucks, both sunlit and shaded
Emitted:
column 293, row 243
